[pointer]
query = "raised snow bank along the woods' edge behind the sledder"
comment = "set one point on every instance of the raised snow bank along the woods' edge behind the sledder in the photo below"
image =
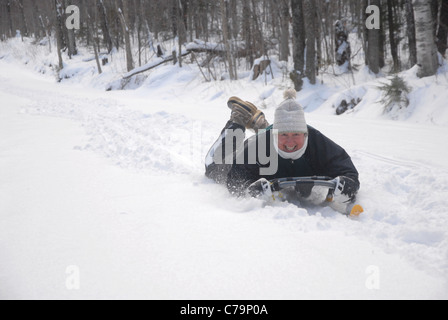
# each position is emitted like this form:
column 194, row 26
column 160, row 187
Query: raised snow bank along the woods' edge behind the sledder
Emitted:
column 334, row 85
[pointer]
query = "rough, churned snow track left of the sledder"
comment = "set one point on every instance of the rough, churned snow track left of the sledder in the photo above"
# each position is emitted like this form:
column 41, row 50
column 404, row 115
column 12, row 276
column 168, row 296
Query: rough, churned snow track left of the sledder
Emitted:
column 160, row 142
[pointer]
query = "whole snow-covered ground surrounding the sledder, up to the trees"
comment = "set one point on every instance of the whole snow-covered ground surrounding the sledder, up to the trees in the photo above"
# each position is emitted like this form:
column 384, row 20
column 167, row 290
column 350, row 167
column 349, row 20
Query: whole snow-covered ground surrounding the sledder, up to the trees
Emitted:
column 102, row 194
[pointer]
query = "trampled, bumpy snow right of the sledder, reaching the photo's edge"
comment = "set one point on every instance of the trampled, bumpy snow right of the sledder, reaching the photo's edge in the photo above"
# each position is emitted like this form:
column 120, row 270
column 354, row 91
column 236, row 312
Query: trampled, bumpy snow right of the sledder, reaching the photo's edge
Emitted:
column 406, row 204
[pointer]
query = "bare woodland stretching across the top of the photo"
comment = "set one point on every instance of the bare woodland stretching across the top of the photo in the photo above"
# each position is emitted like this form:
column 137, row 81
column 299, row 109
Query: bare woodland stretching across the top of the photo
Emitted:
column 235, row 33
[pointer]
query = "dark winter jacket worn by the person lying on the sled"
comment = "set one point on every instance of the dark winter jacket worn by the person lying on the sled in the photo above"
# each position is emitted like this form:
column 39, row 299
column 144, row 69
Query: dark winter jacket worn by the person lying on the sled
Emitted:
column 323, row 157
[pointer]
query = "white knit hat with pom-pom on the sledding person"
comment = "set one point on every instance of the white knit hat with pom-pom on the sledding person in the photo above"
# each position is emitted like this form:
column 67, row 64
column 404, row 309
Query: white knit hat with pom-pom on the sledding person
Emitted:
column 289, row 116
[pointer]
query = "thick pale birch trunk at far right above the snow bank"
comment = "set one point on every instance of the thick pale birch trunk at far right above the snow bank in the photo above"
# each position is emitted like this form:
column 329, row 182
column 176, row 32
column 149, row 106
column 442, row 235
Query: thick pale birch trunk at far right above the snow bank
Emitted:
column 426, row 45
